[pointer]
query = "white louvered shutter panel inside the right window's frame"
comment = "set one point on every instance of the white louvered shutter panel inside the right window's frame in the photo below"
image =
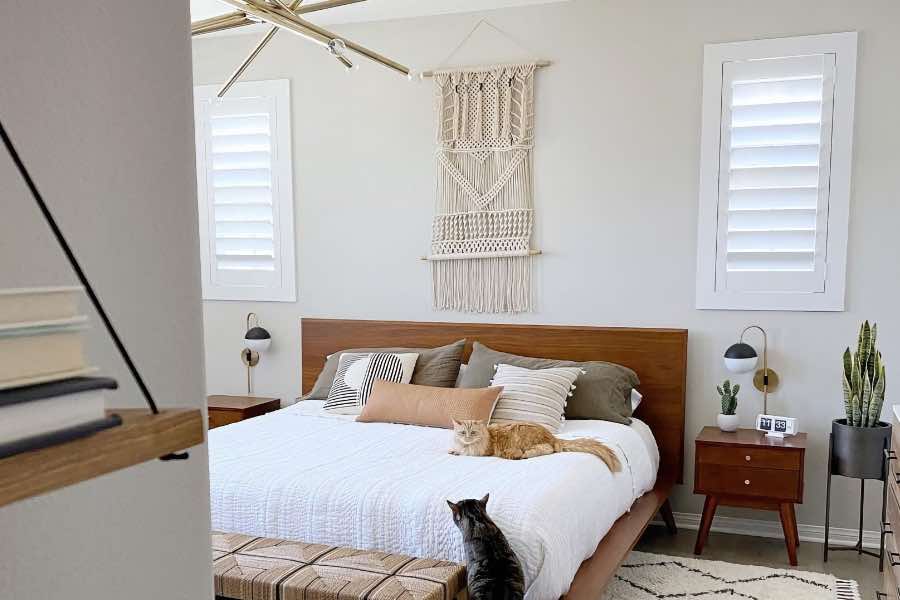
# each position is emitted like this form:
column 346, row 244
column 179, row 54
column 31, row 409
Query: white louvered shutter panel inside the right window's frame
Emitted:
column 773, row 179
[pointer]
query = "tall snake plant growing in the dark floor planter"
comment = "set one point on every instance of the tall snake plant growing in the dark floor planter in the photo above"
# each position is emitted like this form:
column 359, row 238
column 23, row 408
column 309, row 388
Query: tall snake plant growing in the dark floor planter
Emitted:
column 864, row 380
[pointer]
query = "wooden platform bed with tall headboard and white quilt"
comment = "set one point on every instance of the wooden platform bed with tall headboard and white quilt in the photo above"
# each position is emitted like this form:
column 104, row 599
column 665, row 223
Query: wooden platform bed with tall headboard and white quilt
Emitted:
column 300, row 473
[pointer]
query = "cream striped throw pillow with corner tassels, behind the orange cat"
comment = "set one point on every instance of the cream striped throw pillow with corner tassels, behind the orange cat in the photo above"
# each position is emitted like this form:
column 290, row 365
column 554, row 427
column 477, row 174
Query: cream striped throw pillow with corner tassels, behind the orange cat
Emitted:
column 533, row 395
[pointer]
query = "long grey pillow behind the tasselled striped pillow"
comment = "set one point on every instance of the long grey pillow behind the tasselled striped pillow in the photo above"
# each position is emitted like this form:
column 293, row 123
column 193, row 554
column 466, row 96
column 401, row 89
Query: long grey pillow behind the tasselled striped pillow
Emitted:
column 603, row 392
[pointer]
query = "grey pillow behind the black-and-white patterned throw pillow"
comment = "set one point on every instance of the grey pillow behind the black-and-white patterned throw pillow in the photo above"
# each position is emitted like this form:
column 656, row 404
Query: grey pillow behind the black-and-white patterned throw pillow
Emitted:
column 437, row 367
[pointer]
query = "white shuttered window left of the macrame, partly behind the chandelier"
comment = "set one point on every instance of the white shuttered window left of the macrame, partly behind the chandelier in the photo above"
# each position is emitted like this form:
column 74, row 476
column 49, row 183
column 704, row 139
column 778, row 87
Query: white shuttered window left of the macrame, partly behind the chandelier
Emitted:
column 245, row 193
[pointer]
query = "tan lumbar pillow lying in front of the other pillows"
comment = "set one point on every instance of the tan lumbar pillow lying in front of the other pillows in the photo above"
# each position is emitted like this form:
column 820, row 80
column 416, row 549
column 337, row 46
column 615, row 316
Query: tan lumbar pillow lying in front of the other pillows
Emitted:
column 428, row 406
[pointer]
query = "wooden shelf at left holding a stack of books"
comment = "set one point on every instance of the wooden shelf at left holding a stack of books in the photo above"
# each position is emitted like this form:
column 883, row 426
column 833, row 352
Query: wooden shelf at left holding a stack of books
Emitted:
column 141, row 437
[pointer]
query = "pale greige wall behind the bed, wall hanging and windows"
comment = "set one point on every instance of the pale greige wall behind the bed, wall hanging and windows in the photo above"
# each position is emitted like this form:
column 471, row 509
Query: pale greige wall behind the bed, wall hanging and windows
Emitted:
column 616, row 179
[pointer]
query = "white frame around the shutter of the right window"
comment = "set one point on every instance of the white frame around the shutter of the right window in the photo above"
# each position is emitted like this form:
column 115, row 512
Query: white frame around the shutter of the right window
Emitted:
column 844, row 48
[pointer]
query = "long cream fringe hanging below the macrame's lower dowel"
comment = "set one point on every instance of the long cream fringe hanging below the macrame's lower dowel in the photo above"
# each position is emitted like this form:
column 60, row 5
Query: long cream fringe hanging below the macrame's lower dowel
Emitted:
column 483, row 285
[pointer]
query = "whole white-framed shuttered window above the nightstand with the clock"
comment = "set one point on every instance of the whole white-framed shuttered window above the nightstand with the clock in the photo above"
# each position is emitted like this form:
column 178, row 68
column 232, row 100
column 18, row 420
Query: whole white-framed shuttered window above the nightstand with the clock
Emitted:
column 775, row 173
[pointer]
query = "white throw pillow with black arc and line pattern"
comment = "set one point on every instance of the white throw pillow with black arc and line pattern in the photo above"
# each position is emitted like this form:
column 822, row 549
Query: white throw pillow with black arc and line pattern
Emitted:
column 357, row 372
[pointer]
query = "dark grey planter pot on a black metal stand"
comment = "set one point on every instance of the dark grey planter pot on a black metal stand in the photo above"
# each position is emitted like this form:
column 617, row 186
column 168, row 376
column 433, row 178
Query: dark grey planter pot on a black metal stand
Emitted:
column 859, row 451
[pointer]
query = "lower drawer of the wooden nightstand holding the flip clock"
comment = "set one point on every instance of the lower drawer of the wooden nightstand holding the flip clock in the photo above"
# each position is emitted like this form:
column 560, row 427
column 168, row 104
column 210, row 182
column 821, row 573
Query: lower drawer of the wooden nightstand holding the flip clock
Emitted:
column 774, row 484
